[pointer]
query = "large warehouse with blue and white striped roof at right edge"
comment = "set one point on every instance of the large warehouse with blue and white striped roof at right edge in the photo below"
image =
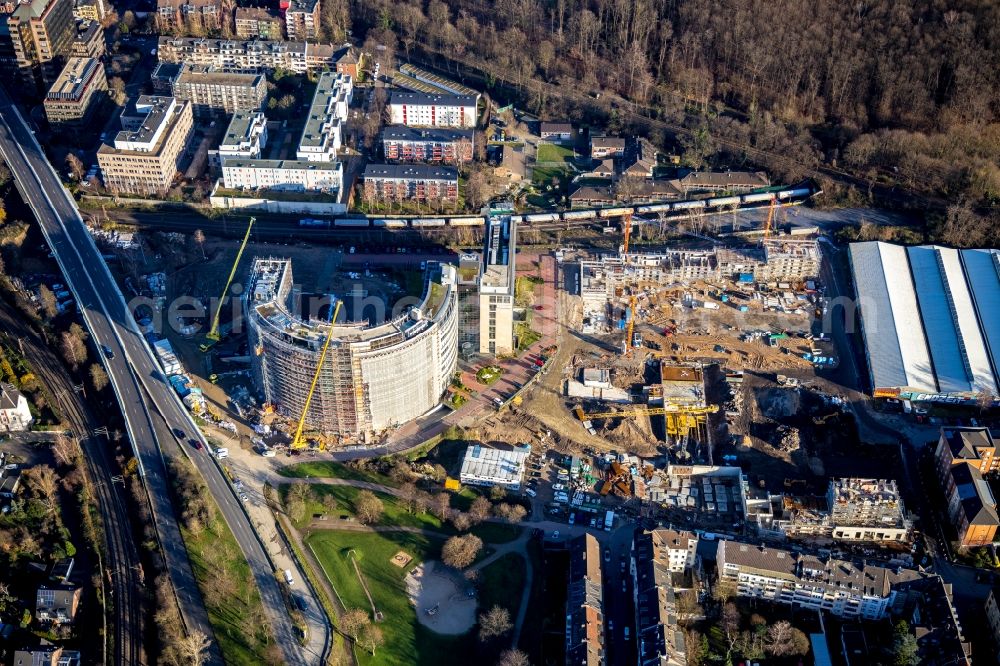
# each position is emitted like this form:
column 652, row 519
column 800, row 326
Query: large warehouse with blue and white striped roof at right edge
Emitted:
column 930, row 317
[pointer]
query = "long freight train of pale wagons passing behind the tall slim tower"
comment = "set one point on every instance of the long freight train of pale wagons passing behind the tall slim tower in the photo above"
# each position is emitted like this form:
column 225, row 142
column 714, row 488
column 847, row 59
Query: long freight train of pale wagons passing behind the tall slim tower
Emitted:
column 782, row 196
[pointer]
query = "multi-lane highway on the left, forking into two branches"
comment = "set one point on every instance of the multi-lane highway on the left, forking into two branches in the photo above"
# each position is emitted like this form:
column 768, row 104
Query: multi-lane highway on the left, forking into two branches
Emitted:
column 155, row 418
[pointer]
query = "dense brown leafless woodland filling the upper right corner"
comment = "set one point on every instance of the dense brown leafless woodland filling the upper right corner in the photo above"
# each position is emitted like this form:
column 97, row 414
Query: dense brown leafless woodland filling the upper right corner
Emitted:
column 903, row 93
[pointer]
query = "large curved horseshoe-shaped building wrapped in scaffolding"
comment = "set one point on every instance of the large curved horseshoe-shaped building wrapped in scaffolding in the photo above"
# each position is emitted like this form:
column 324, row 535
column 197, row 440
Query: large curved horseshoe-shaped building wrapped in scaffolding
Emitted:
column 374, row 377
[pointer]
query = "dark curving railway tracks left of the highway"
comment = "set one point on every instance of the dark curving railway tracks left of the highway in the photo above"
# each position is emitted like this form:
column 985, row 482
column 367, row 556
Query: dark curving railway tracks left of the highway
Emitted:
column 121, row 570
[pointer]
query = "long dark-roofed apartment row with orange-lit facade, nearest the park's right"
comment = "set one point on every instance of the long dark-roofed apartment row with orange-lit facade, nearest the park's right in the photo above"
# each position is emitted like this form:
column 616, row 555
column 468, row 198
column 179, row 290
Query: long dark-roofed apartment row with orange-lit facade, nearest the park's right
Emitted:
column 585, row 604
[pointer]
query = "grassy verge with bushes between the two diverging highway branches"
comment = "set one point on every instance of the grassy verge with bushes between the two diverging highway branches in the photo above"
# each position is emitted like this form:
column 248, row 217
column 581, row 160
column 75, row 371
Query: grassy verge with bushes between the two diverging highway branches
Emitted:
column 231, row 596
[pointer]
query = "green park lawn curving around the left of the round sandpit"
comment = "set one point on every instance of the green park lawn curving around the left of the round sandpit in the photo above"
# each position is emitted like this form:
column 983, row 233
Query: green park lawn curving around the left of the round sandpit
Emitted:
column 406, row 641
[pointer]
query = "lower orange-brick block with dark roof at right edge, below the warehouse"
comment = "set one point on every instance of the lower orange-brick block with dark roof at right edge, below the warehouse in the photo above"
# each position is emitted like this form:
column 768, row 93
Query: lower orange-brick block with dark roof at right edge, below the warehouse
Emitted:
column 971, row 506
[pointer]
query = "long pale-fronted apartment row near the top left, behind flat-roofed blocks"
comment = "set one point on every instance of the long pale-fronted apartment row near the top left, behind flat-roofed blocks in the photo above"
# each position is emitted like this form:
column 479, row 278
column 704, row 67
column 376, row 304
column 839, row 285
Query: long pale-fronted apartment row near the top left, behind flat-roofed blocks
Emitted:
column 297, row 57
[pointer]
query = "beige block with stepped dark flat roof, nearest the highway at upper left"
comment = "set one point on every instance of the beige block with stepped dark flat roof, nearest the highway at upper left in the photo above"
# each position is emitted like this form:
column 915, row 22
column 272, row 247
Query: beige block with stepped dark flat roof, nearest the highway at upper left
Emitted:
column 145, row 156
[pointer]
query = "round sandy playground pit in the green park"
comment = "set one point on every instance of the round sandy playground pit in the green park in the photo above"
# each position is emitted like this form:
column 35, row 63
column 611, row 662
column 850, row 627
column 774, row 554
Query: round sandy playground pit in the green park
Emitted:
column 444, row 600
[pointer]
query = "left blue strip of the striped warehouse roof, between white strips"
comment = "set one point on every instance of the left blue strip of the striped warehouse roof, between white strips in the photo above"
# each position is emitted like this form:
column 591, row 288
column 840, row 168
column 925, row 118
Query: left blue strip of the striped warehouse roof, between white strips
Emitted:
column 932, row 290
